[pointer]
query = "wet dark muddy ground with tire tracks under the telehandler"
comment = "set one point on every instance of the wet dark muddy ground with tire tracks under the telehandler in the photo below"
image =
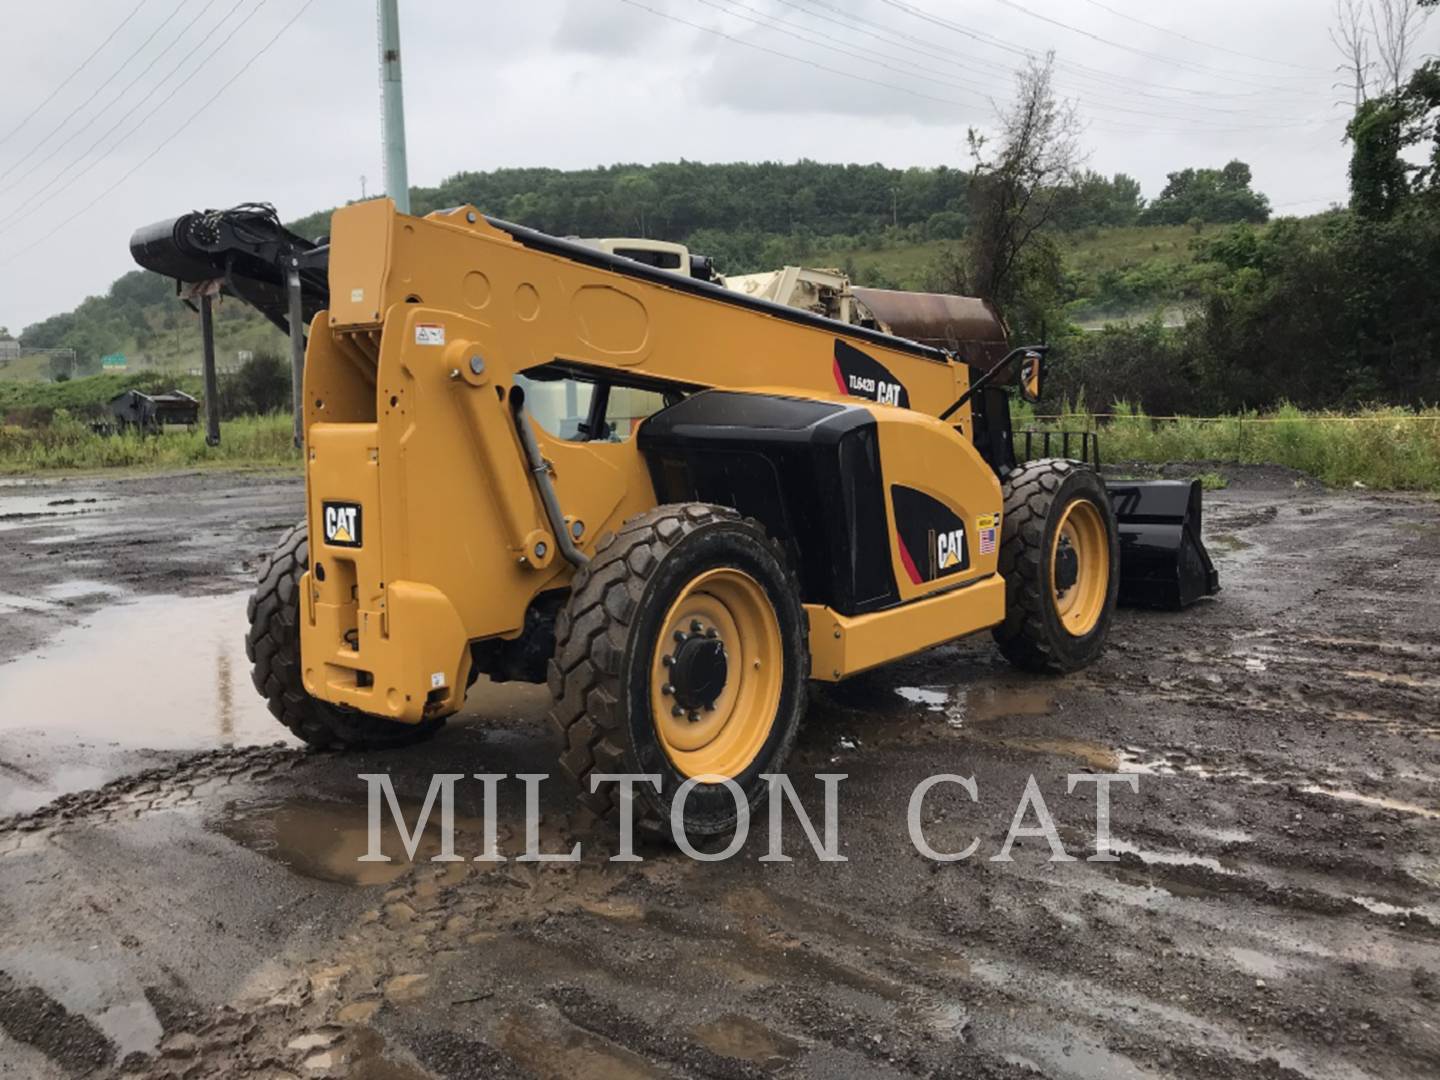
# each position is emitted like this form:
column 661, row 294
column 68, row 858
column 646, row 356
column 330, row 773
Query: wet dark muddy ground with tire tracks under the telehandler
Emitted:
column 182, row 898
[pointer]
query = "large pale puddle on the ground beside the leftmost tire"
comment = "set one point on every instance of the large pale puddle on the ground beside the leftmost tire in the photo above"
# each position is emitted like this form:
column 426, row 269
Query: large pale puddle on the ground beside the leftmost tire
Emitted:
column 156, row 673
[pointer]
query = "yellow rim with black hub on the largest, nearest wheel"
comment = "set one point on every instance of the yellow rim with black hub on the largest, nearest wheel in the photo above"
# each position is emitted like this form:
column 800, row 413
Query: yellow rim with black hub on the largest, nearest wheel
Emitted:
column 712, row 715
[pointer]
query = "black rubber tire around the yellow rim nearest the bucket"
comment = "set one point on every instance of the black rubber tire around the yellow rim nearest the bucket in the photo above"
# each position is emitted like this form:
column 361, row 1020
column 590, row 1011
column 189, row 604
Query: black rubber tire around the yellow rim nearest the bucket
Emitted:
column 1038, row 496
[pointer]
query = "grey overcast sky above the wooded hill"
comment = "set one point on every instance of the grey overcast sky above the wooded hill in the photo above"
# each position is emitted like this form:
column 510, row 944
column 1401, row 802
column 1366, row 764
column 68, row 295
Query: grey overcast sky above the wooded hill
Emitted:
column 584, row 83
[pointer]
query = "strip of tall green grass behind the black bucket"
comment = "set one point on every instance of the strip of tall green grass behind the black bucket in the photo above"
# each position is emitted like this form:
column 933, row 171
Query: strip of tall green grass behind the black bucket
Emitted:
column 1392, row 450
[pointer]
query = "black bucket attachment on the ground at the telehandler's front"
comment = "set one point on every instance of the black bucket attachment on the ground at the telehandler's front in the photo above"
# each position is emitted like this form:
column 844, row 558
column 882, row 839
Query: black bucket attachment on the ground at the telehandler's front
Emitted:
column 1163, row 558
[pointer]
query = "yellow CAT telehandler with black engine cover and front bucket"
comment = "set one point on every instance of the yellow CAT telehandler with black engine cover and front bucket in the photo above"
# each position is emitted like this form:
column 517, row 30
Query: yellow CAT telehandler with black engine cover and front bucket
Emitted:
column 538, row 460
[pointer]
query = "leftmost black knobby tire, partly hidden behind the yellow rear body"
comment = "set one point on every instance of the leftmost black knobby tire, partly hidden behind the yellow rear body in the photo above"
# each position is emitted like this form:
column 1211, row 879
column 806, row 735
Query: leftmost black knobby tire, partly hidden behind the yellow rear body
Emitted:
column 273, row 644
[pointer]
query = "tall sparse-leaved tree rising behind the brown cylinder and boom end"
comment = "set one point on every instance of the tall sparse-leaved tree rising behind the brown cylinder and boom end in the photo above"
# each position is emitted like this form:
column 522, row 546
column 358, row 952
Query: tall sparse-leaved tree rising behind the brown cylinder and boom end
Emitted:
column 1016, row 195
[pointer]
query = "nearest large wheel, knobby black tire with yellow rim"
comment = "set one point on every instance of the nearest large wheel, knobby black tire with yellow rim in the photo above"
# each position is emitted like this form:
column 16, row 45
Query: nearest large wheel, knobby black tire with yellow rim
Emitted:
column 696, row 591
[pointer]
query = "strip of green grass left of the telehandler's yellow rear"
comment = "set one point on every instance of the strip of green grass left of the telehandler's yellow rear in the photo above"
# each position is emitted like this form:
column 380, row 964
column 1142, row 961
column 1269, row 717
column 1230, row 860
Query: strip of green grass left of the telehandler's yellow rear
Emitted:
column 68, row 444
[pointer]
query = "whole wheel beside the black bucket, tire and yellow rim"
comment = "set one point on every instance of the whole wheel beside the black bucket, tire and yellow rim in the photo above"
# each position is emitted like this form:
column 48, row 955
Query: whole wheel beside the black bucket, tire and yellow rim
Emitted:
column 1061, row 557
